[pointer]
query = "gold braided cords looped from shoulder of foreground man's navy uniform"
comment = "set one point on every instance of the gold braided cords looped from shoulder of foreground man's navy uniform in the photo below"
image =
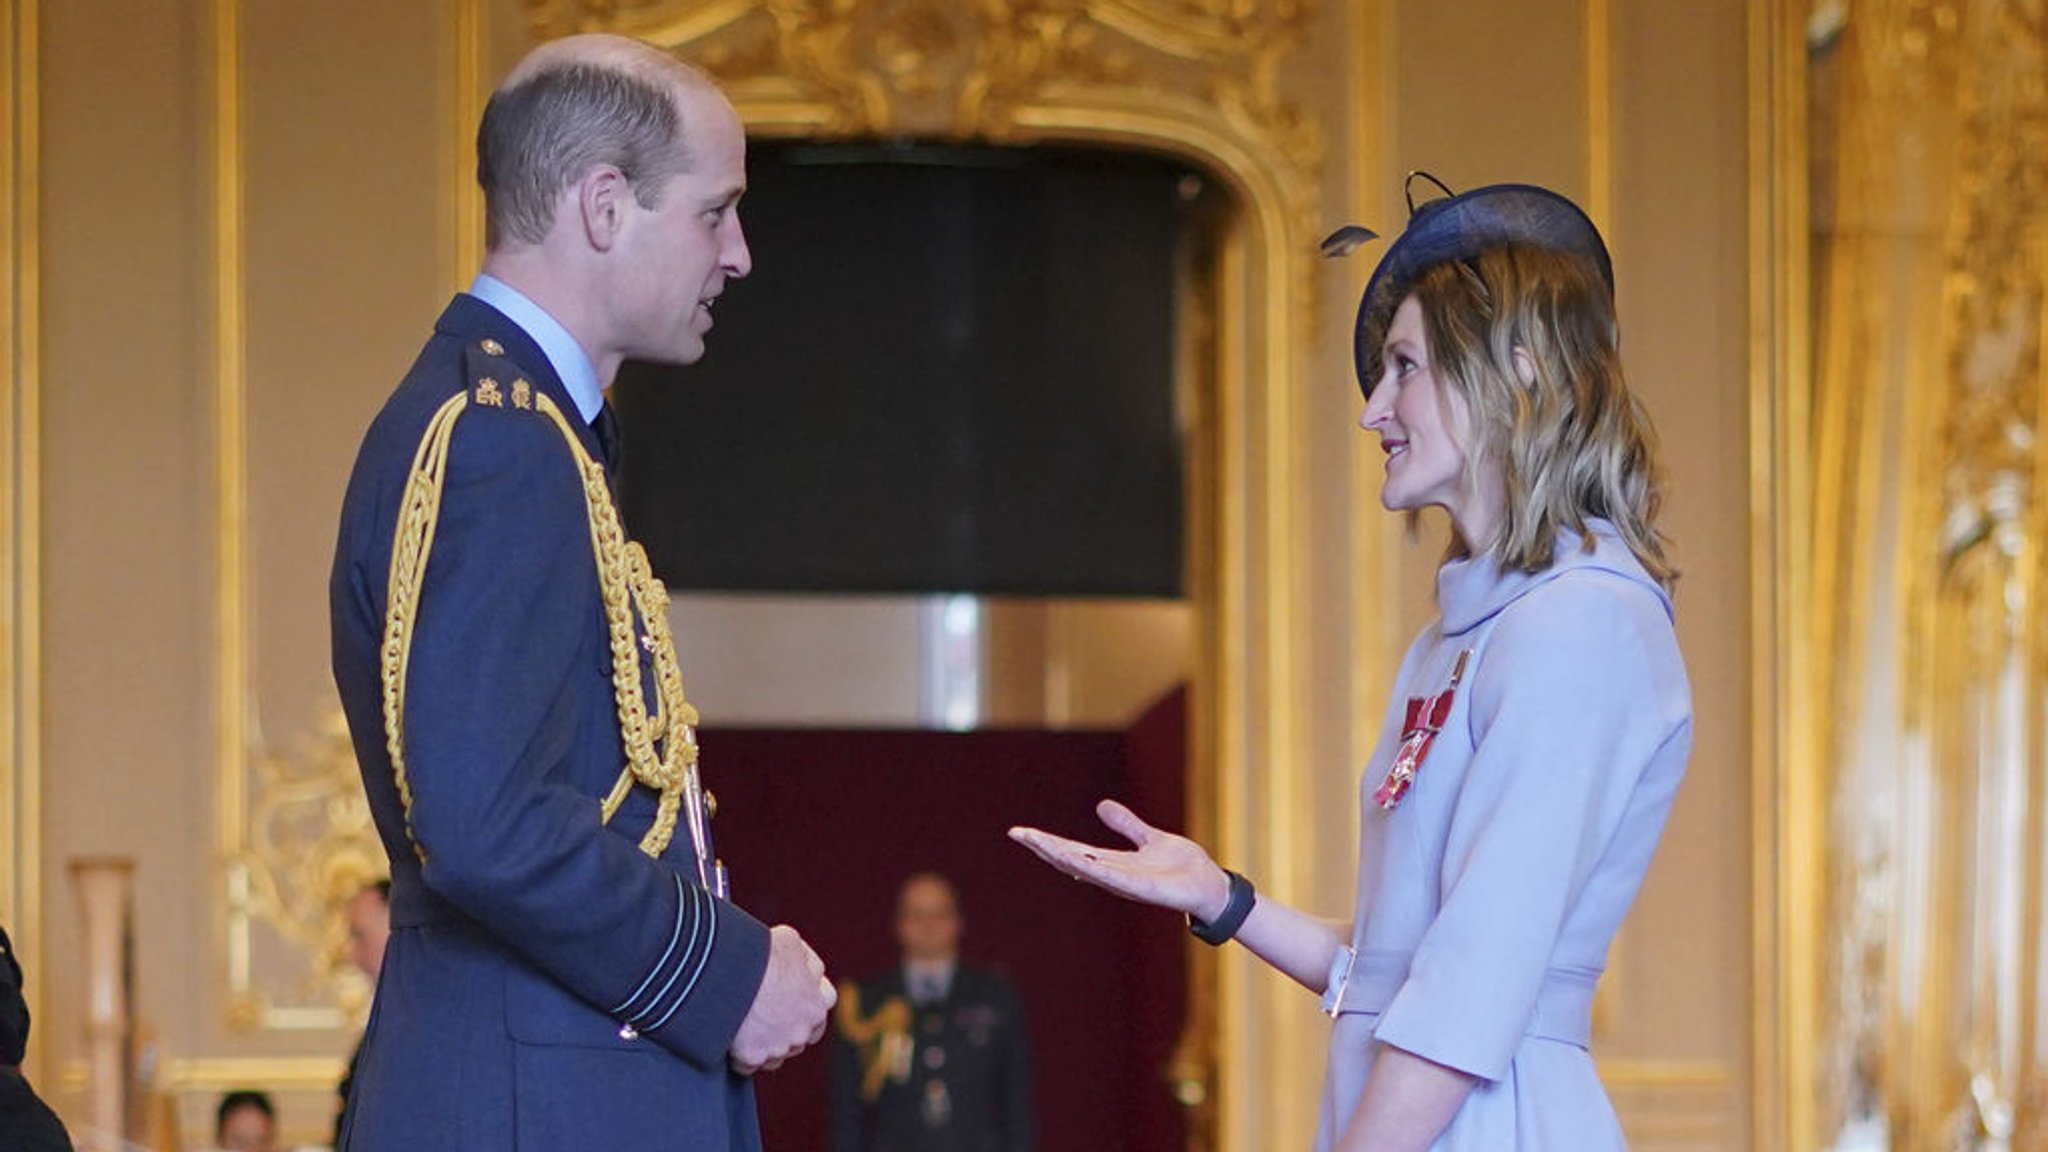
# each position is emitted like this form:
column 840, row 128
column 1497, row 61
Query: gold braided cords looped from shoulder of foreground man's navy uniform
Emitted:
column 660, row 747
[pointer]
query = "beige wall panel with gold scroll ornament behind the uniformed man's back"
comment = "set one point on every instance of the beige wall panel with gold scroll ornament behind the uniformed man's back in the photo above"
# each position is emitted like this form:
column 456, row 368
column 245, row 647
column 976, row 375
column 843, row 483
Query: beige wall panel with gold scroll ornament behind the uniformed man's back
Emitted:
column 316, row 315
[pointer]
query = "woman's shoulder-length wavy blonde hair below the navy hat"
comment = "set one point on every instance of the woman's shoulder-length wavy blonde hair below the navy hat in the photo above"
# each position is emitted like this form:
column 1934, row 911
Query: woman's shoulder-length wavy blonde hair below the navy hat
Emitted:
column 1527, row 337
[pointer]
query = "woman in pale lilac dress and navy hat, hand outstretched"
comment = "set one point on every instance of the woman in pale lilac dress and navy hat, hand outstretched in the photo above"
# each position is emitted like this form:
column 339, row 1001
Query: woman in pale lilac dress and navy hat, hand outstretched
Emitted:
column 1539, row 727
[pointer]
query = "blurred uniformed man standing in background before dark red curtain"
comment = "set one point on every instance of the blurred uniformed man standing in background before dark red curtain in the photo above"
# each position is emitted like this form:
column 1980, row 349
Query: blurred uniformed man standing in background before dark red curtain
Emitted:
column 931, row 1057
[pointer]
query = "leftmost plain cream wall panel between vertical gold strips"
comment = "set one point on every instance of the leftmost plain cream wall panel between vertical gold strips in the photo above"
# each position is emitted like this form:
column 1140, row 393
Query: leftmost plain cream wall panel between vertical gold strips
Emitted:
column 126, row 497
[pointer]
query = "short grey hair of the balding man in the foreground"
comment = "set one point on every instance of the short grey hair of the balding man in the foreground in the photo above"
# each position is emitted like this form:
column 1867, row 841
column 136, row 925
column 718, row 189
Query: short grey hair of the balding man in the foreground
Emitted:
column 552, row 128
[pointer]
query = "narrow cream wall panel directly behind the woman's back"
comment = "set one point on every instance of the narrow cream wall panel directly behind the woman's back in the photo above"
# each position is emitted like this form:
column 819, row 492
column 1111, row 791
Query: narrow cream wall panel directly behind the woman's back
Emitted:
column 1680, row 227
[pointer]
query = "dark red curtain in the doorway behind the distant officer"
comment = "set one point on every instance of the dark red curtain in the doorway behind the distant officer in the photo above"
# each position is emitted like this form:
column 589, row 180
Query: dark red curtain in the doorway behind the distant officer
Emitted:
column 822, row 825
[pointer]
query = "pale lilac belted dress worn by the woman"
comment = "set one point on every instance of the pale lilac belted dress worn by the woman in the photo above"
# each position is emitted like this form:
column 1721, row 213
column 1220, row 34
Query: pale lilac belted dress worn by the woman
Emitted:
column 1490, row 893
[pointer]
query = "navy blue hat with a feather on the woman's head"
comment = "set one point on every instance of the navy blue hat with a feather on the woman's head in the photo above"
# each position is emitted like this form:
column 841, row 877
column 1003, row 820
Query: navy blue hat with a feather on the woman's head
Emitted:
column 1457, row 227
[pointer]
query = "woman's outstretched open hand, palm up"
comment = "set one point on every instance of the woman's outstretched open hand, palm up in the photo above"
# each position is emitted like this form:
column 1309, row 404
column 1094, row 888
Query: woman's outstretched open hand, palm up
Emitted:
column 1160, row 868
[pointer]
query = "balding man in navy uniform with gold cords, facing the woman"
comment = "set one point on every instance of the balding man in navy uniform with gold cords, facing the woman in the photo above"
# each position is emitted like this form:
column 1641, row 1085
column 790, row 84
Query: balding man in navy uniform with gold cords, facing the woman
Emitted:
column 564, row 966
